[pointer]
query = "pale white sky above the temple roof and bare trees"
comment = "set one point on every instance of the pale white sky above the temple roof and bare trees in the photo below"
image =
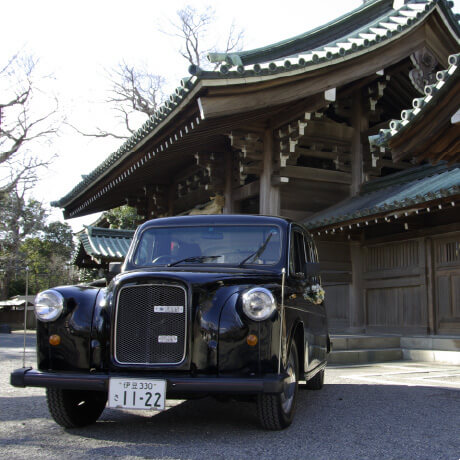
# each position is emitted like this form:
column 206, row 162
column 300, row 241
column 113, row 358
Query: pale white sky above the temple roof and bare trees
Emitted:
column 79, row 42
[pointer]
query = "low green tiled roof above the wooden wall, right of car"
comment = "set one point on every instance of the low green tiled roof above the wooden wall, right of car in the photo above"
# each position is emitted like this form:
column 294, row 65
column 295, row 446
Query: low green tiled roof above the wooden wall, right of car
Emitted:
column 404, row 190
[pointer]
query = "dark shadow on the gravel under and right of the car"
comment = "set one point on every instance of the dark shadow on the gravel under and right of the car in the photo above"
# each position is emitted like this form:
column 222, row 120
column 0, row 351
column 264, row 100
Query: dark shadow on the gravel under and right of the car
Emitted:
column 338, row 421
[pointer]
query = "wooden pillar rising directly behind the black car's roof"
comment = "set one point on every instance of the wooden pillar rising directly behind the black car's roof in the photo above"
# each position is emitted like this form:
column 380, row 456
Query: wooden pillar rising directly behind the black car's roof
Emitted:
column 269, row 197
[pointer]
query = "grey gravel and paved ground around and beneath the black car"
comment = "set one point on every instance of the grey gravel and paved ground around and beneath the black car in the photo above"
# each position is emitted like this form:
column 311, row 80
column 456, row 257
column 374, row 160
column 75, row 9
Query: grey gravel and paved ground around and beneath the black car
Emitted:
column 400, row 410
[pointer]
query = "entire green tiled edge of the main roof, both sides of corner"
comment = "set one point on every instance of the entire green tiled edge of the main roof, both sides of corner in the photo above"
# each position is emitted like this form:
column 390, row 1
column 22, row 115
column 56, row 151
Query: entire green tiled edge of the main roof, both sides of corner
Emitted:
column 366, row 27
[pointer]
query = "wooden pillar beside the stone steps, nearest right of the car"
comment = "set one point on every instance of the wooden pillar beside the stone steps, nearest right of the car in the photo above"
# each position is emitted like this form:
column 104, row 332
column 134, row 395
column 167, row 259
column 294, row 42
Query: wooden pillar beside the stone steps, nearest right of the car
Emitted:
column 357, row 300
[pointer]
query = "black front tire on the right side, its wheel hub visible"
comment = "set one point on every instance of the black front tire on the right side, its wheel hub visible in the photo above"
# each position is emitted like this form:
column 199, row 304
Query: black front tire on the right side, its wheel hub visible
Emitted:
column 277, row 411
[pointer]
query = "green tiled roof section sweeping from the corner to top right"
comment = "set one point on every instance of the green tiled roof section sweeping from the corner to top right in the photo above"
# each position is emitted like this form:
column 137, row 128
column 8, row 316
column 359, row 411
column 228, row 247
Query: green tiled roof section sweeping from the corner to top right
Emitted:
column 363, row 28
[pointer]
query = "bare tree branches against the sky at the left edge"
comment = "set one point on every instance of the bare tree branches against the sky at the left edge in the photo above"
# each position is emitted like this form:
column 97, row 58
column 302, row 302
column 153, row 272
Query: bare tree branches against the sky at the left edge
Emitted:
column 26, row 120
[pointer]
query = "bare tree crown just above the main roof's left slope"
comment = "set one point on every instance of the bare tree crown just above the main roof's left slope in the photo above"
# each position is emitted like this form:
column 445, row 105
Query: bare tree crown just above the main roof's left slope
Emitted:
column 133, row 91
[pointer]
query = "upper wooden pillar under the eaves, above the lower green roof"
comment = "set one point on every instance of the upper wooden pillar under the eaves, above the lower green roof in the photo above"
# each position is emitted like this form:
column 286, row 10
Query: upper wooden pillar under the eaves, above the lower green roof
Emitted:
column 360, row 123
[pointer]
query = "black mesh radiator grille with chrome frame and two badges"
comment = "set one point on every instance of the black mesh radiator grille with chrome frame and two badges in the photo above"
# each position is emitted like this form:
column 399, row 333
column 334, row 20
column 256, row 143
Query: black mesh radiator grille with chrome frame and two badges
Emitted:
column 151, row 324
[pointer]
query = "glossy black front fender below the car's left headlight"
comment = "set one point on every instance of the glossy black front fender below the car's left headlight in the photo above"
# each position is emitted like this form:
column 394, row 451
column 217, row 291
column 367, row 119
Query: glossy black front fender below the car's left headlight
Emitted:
column 74, row 329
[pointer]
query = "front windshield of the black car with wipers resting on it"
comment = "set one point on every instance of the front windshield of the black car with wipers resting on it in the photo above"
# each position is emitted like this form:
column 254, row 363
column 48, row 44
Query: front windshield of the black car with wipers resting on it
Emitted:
column 217, row 244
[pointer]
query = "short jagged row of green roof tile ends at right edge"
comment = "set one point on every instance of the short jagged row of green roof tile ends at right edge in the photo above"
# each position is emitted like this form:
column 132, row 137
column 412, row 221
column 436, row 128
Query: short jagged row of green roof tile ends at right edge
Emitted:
column 433, row 94
